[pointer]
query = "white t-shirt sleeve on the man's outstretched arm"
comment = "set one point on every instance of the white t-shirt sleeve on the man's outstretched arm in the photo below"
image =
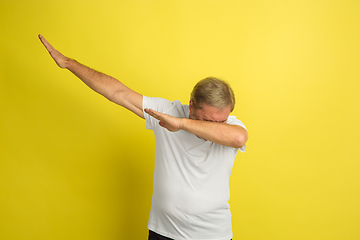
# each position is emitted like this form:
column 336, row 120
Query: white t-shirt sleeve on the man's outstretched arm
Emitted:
column 157, row 104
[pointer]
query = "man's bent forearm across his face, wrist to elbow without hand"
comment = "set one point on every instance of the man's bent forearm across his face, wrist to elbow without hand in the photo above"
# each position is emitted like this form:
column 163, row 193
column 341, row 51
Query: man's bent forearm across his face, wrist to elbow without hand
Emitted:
column 220, row 133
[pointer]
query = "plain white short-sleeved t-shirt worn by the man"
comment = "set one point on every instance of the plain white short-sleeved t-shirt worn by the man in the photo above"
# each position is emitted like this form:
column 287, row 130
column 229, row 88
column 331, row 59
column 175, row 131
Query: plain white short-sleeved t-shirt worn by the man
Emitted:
column 191, row 180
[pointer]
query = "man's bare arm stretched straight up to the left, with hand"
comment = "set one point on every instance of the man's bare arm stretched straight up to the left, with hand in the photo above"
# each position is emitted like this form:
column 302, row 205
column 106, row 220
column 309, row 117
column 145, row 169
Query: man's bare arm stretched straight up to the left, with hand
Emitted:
column 101, row 83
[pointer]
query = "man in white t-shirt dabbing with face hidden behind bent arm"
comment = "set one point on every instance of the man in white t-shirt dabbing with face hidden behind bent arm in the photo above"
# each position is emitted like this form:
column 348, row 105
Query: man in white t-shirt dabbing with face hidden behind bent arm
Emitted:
column 195, row 148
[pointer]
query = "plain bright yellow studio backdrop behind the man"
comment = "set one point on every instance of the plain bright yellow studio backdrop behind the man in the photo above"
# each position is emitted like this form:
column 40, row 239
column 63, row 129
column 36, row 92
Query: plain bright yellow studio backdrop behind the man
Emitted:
column 75, row 166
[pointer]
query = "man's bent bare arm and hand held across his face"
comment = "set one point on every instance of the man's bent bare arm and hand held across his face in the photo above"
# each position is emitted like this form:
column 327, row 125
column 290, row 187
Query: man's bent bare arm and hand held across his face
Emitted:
column 220, row 133
